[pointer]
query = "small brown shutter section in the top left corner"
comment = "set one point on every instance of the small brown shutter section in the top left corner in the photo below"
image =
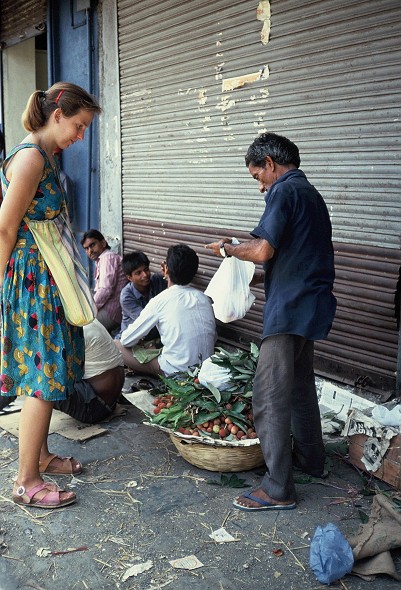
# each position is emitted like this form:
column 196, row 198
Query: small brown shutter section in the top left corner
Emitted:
column 21, row 20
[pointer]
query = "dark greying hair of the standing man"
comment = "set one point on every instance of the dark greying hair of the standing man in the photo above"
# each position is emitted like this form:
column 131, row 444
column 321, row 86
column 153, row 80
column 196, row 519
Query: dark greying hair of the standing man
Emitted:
column 281, row 150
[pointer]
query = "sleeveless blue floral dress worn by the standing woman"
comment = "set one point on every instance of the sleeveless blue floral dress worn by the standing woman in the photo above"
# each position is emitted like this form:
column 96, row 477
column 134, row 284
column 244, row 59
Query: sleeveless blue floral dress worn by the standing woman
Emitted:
column 41, row 353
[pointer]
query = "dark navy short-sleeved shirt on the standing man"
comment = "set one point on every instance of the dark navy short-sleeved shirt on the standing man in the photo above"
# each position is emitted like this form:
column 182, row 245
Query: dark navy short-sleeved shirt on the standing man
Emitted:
column 299, row 278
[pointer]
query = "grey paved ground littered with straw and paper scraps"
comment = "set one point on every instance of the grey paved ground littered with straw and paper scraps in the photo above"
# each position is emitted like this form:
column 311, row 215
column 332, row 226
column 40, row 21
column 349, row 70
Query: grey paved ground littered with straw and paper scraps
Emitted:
column 141, row 504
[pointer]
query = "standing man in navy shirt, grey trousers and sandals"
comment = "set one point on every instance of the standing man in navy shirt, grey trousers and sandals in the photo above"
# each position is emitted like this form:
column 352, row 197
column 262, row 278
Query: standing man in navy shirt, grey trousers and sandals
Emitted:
column 293, row 242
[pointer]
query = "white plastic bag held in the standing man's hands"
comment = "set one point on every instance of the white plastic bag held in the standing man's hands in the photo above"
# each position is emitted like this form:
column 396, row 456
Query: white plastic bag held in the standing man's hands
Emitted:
column 229, row 289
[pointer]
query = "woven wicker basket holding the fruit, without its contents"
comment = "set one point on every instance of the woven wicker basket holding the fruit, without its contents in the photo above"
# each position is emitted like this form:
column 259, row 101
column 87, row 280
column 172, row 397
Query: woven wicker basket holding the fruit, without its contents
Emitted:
column 219, row 458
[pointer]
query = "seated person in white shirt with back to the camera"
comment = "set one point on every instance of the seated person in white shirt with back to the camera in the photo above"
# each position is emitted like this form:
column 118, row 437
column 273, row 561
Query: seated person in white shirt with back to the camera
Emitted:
column 183, row 316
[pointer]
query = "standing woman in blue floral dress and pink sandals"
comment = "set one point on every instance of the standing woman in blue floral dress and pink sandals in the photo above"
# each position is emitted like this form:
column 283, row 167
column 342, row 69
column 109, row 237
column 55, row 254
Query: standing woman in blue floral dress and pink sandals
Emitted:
column 41, row 353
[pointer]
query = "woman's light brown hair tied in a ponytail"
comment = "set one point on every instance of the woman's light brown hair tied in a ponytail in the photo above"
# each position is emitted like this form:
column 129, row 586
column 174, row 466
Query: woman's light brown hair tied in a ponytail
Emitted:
column 68, row 97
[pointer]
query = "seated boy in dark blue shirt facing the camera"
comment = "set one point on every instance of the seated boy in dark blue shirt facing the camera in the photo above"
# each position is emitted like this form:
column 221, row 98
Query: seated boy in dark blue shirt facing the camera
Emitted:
column 142, row 286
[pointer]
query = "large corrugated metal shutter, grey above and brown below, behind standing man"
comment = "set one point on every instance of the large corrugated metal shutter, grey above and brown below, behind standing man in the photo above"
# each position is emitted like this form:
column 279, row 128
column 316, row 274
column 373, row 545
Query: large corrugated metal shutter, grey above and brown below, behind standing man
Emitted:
column 328, row 78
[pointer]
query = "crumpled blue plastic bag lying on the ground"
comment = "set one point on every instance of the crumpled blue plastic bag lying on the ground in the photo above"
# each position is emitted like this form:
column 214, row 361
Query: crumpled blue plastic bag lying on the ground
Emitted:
column 331, row 555
